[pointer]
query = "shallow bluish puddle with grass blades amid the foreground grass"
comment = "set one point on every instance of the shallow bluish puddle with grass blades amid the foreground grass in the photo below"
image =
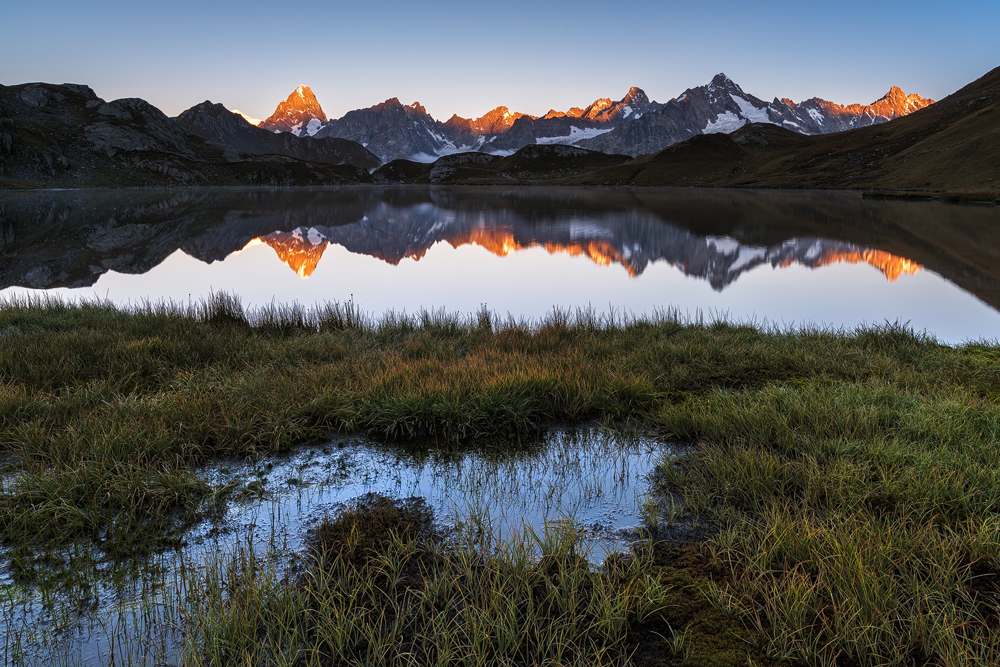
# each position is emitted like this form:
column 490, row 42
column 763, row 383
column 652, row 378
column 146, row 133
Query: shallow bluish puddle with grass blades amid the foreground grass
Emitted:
column 594, row 476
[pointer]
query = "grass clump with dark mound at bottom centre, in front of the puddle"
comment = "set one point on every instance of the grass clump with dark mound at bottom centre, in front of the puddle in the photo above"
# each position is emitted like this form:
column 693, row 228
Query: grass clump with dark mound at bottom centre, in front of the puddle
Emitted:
column 389, row 593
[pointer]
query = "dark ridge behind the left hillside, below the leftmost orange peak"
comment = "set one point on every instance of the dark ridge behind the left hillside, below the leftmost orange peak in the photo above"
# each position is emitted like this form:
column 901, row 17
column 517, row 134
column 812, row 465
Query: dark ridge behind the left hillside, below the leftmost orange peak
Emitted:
column 217, row 124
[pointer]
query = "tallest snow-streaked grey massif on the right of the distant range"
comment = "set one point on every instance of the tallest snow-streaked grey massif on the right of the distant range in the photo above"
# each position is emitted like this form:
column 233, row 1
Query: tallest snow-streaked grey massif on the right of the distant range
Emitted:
column 722, row 107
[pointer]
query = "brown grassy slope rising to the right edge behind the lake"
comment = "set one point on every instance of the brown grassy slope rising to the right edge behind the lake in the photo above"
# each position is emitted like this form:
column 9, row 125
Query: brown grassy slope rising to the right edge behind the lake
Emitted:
column 950, row 146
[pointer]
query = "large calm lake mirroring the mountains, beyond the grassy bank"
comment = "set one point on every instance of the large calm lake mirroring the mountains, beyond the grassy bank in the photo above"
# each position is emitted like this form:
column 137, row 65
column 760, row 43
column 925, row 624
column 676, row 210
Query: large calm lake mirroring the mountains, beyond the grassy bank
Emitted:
column 783, row 258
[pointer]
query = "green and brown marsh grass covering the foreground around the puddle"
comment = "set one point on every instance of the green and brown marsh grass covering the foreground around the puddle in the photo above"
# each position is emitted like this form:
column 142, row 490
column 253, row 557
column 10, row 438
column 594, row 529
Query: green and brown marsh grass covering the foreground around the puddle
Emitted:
column 854, row 478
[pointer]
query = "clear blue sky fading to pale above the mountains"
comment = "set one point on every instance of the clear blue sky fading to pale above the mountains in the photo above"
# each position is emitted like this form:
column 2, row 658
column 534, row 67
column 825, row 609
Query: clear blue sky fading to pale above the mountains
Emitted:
column 467, row 58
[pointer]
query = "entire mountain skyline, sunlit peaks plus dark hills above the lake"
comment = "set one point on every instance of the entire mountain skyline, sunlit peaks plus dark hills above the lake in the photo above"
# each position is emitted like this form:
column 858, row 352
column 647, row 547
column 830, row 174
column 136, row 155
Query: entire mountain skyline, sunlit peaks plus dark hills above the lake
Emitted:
column 65, row 136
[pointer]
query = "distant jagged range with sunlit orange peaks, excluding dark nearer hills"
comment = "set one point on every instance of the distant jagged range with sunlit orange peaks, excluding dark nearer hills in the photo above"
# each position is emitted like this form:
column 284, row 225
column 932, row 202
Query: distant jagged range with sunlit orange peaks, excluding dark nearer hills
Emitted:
column 632, row 126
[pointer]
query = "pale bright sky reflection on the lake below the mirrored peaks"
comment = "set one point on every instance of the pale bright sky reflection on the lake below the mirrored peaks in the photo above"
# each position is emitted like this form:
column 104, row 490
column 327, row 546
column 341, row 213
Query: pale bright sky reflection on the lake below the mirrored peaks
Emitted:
column 528, row 283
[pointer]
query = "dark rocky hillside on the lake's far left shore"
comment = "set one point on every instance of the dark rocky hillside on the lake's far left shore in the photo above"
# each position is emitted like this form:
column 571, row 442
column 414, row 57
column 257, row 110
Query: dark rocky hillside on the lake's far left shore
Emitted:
column 66, row 136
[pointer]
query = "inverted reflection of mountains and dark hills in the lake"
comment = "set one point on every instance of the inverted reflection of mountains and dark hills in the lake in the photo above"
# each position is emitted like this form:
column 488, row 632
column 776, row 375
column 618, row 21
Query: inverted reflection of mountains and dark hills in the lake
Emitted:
column 71, row 238
